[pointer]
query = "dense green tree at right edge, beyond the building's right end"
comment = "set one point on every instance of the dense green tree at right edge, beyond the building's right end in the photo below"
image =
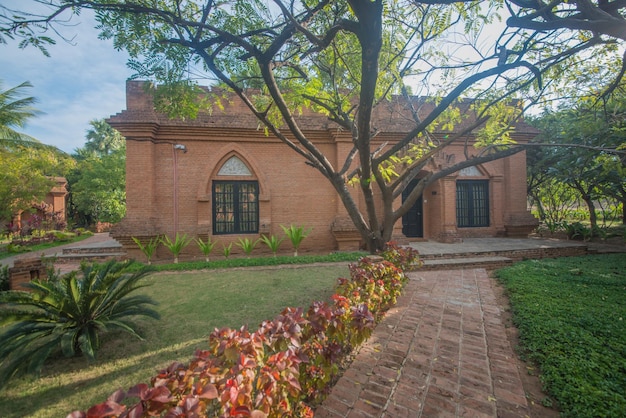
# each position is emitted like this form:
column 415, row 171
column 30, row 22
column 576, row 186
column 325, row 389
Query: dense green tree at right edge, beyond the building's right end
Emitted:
column 591, row 122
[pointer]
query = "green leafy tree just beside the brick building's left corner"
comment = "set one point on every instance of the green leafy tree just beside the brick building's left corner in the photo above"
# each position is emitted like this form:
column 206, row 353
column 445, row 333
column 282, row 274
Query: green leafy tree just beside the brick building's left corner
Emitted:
column 98, row 184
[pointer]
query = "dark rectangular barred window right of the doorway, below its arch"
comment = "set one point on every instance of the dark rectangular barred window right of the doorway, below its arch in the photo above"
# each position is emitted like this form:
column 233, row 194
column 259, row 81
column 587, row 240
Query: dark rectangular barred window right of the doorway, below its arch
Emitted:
column 472, row 203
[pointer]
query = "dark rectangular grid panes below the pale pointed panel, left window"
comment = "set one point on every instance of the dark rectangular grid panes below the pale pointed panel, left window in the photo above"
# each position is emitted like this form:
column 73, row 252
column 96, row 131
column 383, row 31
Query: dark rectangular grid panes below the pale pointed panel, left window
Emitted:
column 235, row 207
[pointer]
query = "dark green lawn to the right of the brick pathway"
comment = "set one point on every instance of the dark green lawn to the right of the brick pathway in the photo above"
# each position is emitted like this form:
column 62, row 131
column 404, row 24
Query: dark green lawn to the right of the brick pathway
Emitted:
column 571, row 316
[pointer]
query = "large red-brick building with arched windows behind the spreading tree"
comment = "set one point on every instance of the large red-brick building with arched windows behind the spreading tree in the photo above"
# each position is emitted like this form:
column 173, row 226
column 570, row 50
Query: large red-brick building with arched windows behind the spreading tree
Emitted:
column 188, row 176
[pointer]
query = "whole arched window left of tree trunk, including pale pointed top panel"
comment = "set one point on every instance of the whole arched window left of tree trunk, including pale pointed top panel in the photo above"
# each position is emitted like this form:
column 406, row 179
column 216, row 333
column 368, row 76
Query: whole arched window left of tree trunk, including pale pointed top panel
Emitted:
column 236, row 201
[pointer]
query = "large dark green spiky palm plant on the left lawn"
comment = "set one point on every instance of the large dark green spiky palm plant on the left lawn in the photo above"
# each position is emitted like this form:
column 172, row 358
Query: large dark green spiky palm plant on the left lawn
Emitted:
column 67, row 315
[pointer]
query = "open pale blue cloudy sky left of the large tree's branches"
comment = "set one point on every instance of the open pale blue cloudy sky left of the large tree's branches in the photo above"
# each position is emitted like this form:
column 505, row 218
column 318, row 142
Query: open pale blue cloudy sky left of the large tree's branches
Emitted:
column 80, row 82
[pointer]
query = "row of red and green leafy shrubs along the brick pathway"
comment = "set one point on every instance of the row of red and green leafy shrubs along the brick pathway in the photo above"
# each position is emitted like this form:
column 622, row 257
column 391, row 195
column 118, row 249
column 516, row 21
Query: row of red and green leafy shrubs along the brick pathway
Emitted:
column 282, row 368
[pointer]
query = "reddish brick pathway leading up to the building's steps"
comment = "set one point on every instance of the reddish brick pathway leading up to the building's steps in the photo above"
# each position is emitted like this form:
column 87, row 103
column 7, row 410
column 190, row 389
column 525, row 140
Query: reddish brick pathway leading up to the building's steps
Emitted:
column 441, row 352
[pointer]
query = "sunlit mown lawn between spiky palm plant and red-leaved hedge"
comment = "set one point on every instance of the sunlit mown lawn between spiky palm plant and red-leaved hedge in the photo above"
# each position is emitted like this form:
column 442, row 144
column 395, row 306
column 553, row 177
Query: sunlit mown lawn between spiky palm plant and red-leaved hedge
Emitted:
column 192, row 305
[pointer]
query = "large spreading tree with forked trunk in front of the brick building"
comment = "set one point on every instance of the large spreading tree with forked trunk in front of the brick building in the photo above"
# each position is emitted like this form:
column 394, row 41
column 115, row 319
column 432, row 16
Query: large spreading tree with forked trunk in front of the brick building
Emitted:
column 345, row 58
